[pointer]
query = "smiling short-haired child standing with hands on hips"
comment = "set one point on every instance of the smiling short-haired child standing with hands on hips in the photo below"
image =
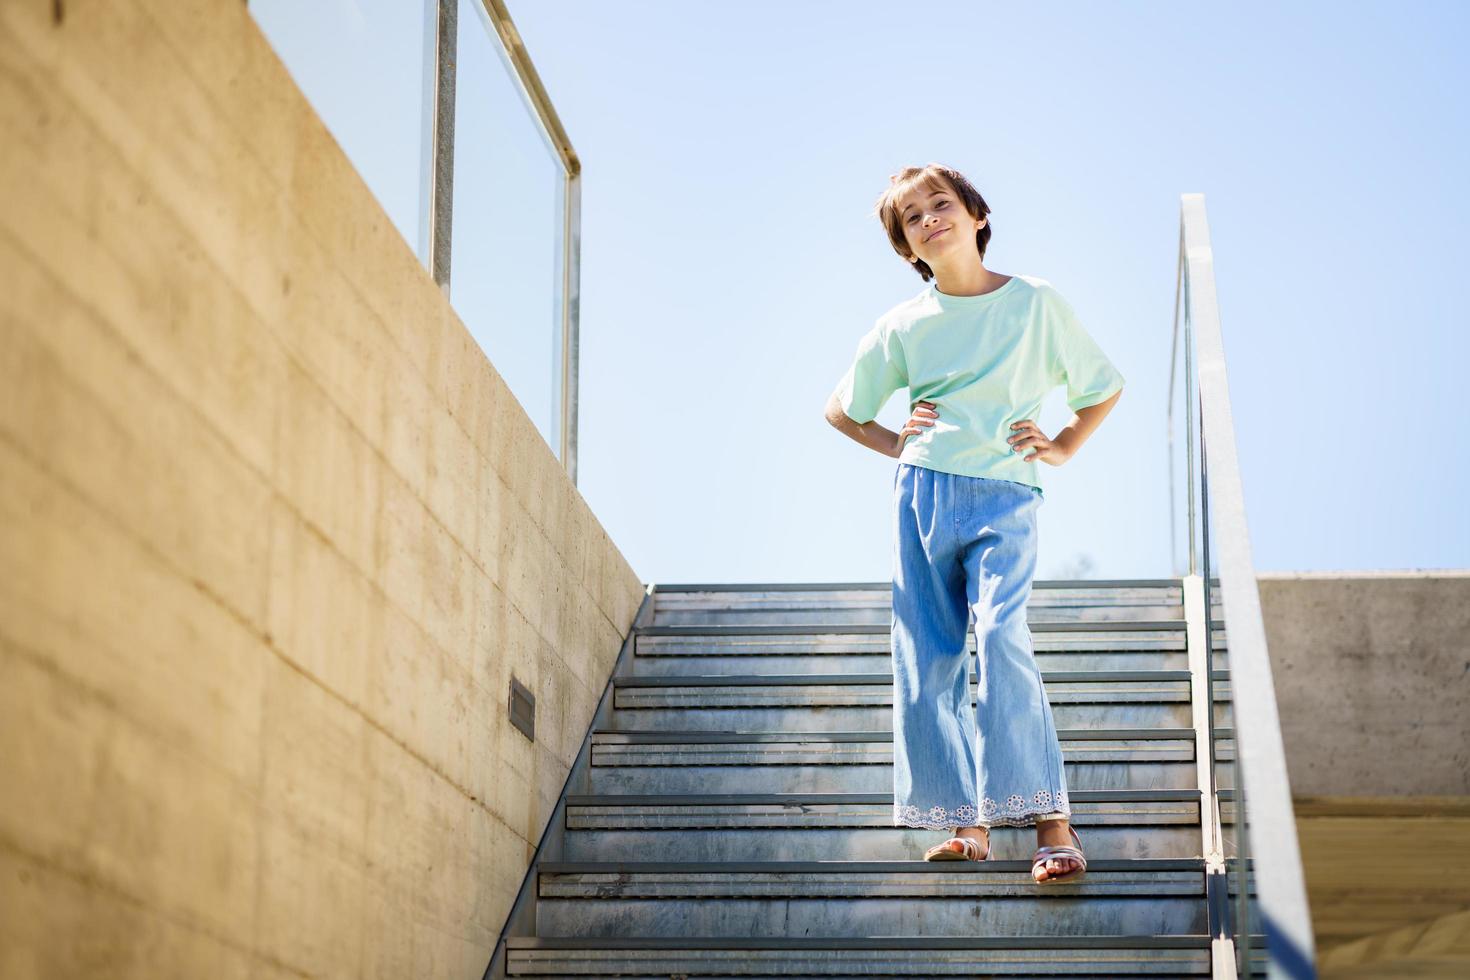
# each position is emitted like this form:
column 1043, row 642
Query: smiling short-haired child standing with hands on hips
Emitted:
column 978, row 353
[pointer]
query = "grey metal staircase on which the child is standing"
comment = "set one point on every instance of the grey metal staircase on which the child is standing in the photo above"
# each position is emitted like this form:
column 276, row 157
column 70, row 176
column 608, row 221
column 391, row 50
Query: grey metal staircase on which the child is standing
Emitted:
column 731, row 810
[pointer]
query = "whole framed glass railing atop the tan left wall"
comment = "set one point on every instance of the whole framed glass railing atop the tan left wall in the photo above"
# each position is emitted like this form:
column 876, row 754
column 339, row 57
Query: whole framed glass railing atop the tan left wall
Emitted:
column 437, row 105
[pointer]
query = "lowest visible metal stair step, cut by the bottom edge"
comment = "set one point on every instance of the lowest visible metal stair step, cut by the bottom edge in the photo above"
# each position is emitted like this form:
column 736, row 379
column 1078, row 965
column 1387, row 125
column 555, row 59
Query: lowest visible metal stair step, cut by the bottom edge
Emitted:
column 886, row 956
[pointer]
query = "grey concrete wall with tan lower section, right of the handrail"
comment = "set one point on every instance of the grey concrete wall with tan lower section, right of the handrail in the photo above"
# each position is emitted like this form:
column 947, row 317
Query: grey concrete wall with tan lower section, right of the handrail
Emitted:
column 1372, row 678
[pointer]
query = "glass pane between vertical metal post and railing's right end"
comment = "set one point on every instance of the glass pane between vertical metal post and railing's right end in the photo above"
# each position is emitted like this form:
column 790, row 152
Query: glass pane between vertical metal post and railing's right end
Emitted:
column 508, row 231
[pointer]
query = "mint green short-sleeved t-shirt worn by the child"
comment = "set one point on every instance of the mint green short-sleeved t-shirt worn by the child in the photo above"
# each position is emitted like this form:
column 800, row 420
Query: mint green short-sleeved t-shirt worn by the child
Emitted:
column 986, row 362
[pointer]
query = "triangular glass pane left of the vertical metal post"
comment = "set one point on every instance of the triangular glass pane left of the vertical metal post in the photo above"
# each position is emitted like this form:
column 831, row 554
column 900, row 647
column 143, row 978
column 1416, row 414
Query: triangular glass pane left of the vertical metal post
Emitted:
column 368, row 70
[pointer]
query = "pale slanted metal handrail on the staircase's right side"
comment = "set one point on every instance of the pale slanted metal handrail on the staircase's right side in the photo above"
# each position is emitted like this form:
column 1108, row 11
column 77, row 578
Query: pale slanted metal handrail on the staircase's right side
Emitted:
column 1261, row 753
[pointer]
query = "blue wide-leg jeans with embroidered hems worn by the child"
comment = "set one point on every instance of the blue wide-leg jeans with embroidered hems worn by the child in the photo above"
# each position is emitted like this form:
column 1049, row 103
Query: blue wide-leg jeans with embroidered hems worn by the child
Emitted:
column 965, row 552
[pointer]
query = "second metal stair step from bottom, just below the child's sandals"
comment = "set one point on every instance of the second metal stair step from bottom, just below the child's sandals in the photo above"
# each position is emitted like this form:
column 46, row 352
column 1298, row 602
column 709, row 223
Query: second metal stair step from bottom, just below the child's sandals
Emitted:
column 862, row 898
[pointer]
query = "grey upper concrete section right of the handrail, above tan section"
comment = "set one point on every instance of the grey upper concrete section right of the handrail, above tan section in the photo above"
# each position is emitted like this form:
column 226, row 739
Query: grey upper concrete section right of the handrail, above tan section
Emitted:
column 1374, row 681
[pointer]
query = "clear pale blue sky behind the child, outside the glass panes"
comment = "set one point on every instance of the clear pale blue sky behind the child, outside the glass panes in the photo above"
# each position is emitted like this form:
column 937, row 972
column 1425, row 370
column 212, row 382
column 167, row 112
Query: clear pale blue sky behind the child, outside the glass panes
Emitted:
column 730, row 261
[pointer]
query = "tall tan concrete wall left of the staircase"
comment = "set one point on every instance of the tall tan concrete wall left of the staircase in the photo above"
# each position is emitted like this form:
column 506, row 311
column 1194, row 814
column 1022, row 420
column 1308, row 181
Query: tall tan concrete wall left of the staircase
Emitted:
column 274, row 537
